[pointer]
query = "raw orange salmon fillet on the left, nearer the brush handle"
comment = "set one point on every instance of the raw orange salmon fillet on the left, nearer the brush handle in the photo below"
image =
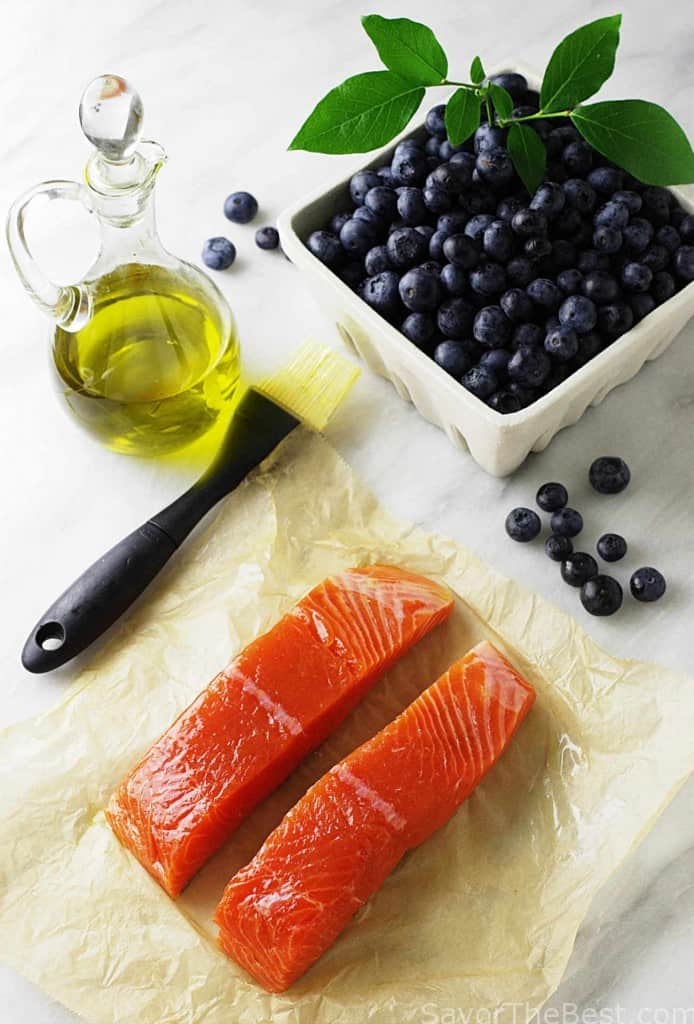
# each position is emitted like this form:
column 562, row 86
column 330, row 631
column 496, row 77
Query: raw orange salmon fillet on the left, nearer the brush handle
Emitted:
column 278, row 701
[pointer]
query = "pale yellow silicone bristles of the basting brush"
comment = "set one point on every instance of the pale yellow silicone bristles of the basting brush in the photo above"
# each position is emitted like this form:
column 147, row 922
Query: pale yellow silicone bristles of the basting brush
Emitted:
column 314, row 385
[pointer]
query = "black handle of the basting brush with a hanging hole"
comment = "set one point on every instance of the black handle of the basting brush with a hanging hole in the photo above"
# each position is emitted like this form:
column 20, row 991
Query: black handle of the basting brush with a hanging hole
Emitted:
column 111, row 585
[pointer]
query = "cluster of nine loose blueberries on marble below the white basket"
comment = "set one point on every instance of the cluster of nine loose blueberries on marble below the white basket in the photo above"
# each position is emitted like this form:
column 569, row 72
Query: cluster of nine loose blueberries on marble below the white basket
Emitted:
column 600, row 594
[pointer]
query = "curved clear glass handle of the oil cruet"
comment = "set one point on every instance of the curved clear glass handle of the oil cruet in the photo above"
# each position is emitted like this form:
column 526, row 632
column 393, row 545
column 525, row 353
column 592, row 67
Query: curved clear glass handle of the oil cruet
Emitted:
column 69, row 306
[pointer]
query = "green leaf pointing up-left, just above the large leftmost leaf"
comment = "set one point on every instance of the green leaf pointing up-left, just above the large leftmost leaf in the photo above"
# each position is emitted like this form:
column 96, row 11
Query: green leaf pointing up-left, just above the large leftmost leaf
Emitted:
column 409, row 49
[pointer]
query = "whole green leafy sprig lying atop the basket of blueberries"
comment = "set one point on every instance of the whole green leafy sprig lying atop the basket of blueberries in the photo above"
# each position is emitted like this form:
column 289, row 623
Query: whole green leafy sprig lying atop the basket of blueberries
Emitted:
column 368, row 111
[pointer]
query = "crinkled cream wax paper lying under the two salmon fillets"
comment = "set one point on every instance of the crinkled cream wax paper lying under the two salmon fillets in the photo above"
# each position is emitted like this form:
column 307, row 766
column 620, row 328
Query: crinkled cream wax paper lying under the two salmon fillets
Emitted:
column 483, row 917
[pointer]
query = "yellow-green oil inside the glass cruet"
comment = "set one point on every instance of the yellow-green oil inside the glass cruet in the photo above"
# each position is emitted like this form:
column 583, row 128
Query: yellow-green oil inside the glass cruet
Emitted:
column 156, row 366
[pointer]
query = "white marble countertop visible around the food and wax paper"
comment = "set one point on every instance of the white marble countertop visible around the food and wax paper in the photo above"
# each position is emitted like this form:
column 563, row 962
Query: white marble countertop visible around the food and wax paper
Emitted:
column 226, row 86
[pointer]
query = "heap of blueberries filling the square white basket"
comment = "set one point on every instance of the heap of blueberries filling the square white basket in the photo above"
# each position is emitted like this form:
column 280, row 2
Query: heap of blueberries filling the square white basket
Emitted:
column 508, row 293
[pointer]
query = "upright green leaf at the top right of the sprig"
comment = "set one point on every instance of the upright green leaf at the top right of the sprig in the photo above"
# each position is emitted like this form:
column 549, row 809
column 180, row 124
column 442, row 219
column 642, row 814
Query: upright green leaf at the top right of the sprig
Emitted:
column 581, row 65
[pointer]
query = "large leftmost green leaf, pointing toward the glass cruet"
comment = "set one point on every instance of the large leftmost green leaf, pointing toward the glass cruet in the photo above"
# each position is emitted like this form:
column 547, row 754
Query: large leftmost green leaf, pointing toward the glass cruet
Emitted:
column 364, row 113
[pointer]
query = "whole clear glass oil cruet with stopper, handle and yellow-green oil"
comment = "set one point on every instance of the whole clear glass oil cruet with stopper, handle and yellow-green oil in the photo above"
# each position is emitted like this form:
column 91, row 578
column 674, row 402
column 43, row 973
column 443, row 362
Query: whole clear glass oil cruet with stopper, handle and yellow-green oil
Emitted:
column 145, row 348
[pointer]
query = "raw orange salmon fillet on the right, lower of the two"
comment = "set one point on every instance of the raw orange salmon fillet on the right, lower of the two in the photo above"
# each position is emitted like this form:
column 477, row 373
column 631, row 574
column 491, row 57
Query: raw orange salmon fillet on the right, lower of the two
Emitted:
column 339, row 843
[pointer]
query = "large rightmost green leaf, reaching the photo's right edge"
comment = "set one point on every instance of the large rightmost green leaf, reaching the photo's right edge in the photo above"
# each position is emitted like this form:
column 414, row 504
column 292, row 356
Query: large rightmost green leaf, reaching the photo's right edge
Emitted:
column 640, row 137
